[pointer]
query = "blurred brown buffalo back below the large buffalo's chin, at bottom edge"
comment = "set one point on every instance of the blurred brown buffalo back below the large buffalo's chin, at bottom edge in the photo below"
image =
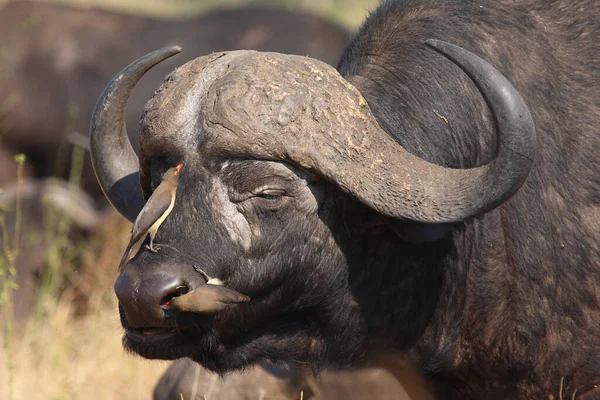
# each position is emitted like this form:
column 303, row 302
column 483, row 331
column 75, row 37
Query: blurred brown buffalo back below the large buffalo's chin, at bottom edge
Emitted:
column 185, row 378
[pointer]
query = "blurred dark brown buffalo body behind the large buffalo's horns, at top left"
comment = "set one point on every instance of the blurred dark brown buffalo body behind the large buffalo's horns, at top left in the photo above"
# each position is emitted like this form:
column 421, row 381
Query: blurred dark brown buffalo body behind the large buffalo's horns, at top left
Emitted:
column 55, row 59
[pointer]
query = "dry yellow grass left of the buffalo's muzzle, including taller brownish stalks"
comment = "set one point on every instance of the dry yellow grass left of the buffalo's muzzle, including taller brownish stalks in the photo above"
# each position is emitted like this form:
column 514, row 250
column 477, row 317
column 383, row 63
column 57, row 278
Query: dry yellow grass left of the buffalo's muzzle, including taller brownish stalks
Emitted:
column 59, row 355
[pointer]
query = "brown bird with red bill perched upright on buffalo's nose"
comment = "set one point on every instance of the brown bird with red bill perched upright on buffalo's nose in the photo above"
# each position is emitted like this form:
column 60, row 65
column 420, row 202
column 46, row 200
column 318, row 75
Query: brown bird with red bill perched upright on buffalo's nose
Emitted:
column 155, row 211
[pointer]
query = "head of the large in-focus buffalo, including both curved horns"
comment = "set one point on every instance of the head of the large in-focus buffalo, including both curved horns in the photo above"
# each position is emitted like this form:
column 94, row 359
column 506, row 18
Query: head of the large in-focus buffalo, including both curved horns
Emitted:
column 289, row 192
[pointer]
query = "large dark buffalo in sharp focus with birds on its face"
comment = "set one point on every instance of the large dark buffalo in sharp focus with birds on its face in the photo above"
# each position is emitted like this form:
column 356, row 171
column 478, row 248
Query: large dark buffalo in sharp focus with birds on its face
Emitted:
column 402, row 202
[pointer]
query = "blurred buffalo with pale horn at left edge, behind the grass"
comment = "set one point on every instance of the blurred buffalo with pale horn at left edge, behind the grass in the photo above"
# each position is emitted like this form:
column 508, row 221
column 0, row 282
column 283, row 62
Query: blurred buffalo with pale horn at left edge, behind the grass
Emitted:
column 53, row 213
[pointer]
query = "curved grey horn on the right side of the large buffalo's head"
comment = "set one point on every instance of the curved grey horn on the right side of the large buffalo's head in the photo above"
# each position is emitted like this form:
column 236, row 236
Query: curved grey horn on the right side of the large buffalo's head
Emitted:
column 407, row 187
